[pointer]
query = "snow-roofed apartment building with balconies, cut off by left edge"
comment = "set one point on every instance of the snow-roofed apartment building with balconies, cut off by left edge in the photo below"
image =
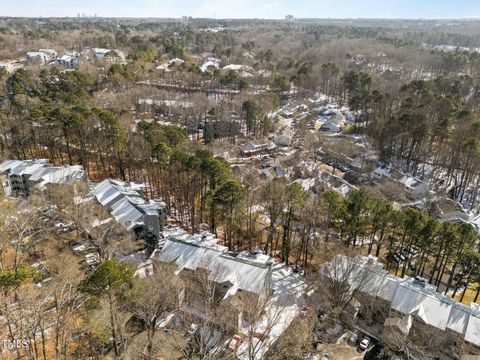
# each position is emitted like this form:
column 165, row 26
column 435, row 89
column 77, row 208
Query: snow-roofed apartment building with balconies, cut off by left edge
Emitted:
column 22, row 177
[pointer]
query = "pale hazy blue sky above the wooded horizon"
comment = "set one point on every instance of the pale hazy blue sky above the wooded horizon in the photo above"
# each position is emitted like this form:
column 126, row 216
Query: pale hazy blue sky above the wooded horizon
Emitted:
column 246, row 8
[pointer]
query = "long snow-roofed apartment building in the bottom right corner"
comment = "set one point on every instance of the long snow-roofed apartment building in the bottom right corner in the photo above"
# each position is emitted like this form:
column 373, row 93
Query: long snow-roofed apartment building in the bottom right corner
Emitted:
column 406, row 297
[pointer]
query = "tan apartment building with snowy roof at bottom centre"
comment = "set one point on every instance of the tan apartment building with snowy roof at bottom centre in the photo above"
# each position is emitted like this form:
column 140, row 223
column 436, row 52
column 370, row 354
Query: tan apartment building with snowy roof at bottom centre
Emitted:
column 238, row 279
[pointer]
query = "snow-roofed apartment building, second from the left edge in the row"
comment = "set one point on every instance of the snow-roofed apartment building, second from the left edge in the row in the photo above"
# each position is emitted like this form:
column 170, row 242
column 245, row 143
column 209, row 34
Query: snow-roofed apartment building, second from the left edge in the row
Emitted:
column 126, row 203
